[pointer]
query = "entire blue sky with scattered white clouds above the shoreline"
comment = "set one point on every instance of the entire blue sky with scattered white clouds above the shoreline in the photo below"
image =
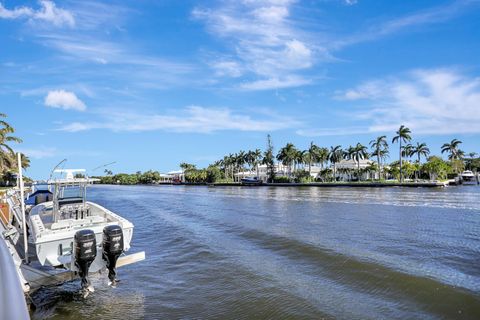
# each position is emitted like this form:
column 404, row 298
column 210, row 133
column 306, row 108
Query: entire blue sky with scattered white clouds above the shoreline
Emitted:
column 150, row 84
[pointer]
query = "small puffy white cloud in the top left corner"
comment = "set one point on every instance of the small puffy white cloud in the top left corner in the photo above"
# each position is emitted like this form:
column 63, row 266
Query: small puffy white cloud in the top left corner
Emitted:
column 48, row 12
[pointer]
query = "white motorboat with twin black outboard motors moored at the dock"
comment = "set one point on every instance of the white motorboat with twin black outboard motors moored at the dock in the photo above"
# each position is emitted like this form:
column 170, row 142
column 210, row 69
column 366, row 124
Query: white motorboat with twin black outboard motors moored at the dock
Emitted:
column 64, row 235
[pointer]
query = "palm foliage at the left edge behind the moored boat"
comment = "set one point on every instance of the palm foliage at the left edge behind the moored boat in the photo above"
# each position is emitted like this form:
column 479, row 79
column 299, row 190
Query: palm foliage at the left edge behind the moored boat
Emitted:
column 8, row 157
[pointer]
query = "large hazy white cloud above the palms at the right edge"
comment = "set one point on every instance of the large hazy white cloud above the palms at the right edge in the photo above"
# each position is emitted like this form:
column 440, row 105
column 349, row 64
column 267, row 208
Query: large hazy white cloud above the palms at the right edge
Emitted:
column 428, row 101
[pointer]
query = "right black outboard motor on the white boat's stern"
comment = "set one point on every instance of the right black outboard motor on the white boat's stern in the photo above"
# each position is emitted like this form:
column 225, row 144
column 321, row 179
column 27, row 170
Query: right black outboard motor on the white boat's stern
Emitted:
column 112, row 249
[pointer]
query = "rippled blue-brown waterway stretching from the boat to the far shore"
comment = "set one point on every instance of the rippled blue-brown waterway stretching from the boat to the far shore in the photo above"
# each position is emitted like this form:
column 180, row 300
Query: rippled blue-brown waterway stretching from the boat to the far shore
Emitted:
column 287, row 253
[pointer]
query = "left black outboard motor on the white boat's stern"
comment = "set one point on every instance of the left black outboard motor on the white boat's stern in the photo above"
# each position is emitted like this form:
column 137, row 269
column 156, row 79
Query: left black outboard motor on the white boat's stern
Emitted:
column 85, row 252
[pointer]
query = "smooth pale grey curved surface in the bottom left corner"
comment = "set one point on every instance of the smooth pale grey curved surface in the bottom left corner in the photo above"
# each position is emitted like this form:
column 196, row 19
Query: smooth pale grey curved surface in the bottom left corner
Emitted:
column 12, row 299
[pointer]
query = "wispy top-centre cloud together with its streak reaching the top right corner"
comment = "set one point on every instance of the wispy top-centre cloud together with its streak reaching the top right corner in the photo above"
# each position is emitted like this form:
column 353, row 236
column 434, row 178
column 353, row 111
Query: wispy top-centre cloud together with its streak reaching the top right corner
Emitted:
column 267, row 48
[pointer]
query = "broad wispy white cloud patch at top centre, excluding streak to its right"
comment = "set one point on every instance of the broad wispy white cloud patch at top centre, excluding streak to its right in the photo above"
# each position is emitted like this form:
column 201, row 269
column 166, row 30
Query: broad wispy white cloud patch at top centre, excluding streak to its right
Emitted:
column 264, row 42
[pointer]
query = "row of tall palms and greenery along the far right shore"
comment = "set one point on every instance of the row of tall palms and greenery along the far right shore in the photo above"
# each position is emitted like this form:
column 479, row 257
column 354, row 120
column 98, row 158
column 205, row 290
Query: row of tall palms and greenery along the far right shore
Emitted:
column 298, row 163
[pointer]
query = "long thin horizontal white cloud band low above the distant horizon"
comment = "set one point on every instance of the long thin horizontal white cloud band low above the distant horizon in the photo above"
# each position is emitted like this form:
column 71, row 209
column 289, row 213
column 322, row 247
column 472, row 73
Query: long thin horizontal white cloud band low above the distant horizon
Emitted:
column 192, row 119
